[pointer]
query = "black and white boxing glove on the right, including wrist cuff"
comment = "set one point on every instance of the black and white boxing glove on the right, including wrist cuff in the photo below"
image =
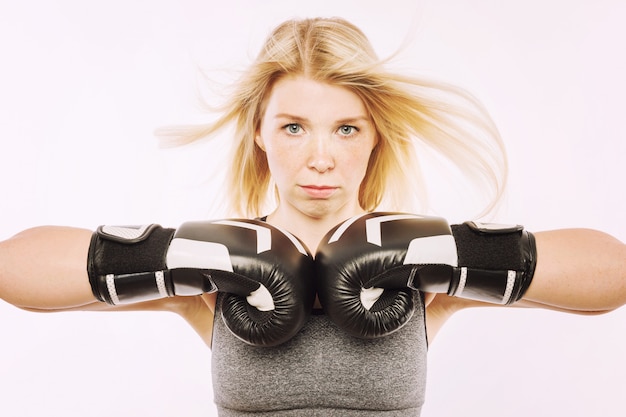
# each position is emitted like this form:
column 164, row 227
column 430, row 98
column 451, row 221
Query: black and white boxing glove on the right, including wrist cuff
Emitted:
column 368, row 266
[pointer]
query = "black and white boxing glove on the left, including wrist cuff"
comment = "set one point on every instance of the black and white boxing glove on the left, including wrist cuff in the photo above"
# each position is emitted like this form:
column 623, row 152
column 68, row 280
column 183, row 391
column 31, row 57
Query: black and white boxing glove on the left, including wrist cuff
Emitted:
column 265, row 273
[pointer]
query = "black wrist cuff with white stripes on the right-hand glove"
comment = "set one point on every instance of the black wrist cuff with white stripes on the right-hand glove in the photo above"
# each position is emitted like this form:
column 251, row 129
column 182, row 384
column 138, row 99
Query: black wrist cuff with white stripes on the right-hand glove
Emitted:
column 496, row 263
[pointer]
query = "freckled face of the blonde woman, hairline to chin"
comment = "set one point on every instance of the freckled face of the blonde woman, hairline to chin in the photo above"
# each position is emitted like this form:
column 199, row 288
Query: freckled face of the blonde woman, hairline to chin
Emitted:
column 318, row 138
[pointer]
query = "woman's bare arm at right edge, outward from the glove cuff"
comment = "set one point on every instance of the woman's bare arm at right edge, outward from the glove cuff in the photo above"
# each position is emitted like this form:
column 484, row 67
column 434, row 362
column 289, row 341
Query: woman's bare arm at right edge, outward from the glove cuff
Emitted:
column 578, row 270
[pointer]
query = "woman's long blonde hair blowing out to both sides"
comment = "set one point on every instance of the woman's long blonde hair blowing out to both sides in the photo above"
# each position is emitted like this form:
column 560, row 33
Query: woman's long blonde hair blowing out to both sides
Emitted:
column 405, row 110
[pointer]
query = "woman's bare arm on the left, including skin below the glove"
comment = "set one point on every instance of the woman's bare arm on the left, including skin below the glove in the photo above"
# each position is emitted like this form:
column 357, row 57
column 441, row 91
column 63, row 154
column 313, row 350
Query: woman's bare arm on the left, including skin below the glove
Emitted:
column 44, row 269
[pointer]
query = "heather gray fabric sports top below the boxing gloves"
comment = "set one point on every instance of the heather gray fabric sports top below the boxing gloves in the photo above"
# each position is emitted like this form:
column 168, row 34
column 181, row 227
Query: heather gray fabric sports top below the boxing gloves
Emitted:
column 321, row 372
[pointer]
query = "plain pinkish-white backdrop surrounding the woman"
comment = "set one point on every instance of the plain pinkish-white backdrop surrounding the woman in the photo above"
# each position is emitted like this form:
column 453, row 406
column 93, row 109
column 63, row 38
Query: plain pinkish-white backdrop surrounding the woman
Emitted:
column 83, row 85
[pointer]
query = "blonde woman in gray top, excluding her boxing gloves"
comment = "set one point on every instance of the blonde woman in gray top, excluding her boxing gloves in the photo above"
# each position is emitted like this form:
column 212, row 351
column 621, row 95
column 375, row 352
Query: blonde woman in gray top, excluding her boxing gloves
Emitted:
column 324, row 133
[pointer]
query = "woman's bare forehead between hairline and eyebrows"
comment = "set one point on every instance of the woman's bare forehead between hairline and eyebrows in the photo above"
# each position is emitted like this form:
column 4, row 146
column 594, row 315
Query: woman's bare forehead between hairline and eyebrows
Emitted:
column 300, row 94
